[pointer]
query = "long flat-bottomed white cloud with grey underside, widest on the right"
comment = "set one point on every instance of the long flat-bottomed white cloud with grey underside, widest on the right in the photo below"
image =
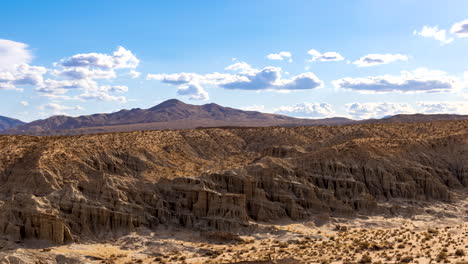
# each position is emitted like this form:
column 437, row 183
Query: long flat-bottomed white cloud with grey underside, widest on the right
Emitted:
column 420, row 80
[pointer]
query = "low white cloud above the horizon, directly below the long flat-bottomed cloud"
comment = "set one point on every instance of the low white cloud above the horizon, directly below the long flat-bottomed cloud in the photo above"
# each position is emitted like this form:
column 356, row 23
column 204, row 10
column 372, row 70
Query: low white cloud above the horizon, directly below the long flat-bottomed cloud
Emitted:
column 377, row 110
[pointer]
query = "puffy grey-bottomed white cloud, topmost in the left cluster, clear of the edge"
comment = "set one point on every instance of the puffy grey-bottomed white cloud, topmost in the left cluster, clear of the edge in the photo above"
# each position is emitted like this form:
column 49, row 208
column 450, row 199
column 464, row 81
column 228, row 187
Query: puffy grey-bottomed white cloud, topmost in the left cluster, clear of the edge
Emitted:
column 120, row 59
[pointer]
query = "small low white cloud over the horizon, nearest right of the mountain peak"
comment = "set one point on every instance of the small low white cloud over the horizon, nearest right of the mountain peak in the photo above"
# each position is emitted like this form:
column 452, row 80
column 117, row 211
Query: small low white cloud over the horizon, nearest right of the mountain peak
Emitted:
column 307, row 110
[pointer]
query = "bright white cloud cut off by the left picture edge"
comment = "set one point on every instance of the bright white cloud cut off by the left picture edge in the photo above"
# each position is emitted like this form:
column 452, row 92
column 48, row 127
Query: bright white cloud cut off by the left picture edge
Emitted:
column 13, row 53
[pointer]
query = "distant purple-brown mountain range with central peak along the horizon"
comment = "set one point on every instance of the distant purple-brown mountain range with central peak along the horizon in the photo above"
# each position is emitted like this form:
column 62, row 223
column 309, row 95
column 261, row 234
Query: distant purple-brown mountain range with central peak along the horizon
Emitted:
column 175, row 114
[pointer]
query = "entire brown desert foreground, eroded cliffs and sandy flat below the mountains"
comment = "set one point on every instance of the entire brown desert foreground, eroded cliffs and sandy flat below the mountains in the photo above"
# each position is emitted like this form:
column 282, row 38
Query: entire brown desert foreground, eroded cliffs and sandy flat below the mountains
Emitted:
column 361, row 193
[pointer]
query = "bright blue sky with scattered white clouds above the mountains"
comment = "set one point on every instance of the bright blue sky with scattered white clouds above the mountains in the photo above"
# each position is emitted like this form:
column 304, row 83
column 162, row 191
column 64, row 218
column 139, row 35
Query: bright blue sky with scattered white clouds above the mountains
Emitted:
column 312, row 59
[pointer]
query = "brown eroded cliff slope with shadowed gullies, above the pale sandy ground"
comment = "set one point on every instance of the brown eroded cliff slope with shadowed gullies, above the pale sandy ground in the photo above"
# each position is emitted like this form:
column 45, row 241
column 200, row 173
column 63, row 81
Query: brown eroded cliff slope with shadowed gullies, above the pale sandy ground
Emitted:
column 72, row 188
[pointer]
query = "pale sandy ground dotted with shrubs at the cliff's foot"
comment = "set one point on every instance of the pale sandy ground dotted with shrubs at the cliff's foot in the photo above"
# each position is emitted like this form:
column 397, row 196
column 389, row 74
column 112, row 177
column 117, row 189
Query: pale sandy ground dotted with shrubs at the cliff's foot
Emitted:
column 439, row 237
